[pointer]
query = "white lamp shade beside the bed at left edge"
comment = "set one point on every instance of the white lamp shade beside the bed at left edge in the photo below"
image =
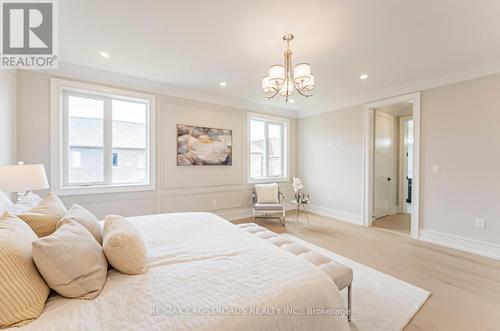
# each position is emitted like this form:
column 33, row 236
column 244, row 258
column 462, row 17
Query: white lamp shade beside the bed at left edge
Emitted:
column 23, row 177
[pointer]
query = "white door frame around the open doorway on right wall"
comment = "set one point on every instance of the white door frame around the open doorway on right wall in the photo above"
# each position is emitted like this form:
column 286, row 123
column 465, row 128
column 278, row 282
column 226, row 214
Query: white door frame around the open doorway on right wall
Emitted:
column 368, row 147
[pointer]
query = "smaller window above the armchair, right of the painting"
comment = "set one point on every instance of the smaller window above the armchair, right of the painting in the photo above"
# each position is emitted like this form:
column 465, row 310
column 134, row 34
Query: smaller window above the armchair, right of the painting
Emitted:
column 268, row 148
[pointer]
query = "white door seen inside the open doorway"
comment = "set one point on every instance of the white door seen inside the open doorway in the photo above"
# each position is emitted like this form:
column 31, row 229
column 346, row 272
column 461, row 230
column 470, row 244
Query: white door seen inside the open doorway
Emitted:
column 383, row 165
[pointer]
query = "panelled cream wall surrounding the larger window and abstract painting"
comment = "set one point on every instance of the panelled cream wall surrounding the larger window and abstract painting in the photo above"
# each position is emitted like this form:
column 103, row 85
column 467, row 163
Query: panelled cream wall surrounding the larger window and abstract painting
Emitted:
column 177, row 188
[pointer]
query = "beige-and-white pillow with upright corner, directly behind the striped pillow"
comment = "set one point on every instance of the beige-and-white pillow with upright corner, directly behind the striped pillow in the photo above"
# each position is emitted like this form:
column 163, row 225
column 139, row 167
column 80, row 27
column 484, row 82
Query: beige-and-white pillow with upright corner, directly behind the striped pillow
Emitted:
column 43, row 217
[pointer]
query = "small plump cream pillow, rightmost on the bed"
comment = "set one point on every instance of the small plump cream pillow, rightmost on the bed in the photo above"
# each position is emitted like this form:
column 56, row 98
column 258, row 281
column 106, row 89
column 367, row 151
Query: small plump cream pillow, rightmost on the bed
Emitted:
column 124, row 246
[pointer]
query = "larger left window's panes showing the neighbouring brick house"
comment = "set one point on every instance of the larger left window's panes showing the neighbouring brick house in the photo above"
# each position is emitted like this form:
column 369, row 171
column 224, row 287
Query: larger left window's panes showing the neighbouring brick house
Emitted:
column 107, row 140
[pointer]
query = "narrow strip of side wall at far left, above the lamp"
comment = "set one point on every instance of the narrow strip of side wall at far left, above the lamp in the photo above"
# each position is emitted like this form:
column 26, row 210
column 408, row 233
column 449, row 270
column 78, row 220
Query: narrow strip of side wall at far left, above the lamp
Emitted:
column 7, row 116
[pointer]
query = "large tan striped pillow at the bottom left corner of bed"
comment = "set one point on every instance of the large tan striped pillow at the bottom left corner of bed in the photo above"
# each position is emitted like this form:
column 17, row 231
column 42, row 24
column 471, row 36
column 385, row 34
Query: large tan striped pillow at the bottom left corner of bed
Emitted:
column 22, row 290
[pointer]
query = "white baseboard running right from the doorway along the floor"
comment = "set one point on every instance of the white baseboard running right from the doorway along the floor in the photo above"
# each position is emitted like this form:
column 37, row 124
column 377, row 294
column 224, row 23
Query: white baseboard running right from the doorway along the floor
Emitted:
column 464, row 244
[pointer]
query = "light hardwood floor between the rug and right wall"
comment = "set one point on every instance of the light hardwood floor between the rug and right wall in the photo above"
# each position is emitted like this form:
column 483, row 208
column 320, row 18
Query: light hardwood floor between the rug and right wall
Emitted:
column 465, row 287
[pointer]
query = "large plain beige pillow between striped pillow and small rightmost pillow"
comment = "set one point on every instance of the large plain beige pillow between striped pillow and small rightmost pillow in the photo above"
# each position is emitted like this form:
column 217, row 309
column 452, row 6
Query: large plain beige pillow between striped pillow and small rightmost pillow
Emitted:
column 71, row 261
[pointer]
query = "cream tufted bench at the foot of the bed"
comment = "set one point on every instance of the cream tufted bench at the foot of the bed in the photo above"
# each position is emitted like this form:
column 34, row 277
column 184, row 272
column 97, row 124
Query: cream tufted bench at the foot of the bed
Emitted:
column 340, row 274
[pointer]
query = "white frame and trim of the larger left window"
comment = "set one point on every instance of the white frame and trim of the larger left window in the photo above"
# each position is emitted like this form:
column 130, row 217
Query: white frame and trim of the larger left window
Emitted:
column 58, row 141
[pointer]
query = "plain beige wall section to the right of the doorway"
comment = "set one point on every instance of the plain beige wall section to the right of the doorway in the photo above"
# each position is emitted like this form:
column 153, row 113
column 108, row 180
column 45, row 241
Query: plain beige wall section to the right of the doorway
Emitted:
column 461, row 133
